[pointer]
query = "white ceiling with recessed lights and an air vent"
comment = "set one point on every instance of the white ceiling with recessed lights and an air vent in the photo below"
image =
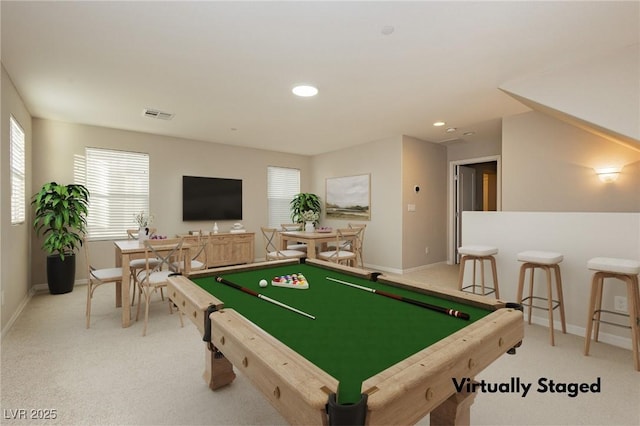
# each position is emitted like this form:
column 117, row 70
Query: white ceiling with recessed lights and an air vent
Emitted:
column 226, row 69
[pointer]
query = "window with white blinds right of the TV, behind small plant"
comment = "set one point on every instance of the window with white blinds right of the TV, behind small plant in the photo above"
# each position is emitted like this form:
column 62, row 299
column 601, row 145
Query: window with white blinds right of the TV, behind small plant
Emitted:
column 282, row 185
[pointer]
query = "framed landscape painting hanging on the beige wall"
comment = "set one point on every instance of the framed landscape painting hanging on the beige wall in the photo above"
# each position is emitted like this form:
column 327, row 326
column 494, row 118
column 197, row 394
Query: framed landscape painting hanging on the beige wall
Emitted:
column 348, row 198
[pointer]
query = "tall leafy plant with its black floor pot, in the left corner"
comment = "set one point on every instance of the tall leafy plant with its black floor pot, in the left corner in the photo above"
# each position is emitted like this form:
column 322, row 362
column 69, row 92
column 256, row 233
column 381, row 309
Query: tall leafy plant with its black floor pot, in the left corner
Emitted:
column 61, row 218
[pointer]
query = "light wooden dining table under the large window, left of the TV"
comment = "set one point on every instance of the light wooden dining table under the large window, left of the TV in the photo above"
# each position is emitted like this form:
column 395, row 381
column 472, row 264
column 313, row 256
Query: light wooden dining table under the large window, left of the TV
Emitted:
column 125, row 252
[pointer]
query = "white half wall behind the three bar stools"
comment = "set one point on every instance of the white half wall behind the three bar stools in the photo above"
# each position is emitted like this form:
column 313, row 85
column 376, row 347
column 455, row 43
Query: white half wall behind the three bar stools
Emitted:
column 578, row 236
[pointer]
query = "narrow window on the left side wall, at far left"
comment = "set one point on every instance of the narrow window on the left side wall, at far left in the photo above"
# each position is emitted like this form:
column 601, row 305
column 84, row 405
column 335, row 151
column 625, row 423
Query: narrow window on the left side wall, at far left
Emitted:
column 17, row 170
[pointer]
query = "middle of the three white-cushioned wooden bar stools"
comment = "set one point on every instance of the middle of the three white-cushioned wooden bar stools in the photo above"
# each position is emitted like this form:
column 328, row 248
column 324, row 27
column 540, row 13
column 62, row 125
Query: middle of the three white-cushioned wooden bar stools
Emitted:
column 545, row 260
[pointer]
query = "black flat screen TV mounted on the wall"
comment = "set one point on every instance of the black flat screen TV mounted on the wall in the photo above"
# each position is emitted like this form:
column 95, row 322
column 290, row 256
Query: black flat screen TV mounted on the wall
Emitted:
column 207, row 198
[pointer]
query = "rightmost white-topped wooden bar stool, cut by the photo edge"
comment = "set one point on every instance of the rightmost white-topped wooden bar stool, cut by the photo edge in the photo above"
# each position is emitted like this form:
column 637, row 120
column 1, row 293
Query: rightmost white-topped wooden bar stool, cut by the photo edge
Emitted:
column 625, row 270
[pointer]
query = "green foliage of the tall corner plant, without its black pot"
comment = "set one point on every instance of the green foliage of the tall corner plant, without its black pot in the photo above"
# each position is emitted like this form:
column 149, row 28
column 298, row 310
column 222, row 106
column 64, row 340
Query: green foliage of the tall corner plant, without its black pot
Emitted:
column 61, row 217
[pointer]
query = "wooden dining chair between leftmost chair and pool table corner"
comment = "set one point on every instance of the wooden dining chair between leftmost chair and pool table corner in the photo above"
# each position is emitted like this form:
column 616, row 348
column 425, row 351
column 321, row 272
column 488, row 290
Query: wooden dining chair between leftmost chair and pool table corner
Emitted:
column 168, row 253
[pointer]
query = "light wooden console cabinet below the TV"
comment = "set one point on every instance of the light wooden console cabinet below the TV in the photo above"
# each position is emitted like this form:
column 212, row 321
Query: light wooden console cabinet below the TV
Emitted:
column 224, row 249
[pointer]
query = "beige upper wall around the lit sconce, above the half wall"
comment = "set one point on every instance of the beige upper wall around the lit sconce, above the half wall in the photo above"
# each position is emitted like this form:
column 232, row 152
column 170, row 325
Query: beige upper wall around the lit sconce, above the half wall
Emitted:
column 548, row 165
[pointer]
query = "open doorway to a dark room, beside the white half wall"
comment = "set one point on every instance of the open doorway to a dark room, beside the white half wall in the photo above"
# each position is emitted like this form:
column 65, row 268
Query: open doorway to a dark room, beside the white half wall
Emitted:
column 474, row 186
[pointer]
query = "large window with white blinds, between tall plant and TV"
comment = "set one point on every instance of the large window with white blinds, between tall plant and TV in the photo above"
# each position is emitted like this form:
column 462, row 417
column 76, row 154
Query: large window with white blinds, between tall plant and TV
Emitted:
column 118, row 182
